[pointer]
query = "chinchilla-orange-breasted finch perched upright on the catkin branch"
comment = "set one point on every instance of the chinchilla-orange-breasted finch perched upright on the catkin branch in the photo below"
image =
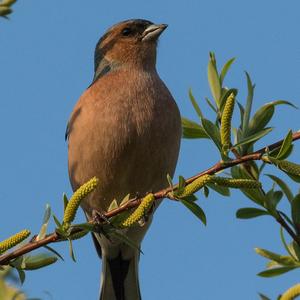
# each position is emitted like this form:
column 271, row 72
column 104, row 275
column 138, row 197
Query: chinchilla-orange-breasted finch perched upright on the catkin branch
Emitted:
column 125, row 129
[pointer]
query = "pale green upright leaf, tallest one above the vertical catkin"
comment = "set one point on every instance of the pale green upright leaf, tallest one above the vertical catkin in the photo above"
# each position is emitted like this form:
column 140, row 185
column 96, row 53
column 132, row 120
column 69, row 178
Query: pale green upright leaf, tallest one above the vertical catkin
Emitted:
column 213, row 79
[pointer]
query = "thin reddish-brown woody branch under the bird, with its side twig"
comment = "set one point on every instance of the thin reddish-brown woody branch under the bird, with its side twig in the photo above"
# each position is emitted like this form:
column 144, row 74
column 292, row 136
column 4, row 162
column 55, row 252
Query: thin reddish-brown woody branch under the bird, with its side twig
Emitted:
column 55, row 237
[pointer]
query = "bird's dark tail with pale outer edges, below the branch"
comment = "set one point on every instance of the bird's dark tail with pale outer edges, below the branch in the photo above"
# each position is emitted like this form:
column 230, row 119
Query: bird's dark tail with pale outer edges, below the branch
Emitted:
column 119, row 278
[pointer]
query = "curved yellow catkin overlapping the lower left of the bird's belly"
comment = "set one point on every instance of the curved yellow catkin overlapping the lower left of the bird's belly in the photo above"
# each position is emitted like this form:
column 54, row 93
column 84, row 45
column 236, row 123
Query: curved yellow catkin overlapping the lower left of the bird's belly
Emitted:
column 76, row 198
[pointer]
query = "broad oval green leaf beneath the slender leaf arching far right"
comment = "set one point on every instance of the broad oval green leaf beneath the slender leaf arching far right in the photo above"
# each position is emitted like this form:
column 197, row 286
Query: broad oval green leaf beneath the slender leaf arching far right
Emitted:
column 261, row 118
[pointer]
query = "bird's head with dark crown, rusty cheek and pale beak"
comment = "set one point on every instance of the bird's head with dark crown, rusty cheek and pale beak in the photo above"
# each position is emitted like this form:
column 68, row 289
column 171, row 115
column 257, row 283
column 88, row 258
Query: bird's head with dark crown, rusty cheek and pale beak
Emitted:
column 131, row 42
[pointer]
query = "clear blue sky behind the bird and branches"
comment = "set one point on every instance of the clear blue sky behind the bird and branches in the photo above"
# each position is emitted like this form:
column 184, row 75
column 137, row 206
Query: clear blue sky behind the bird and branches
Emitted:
column 46, row 62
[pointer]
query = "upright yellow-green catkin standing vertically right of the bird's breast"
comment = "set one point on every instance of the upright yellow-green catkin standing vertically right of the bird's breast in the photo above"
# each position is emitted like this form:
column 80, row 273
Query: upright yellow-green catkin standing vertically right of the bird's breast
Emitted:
column 226, row 121
